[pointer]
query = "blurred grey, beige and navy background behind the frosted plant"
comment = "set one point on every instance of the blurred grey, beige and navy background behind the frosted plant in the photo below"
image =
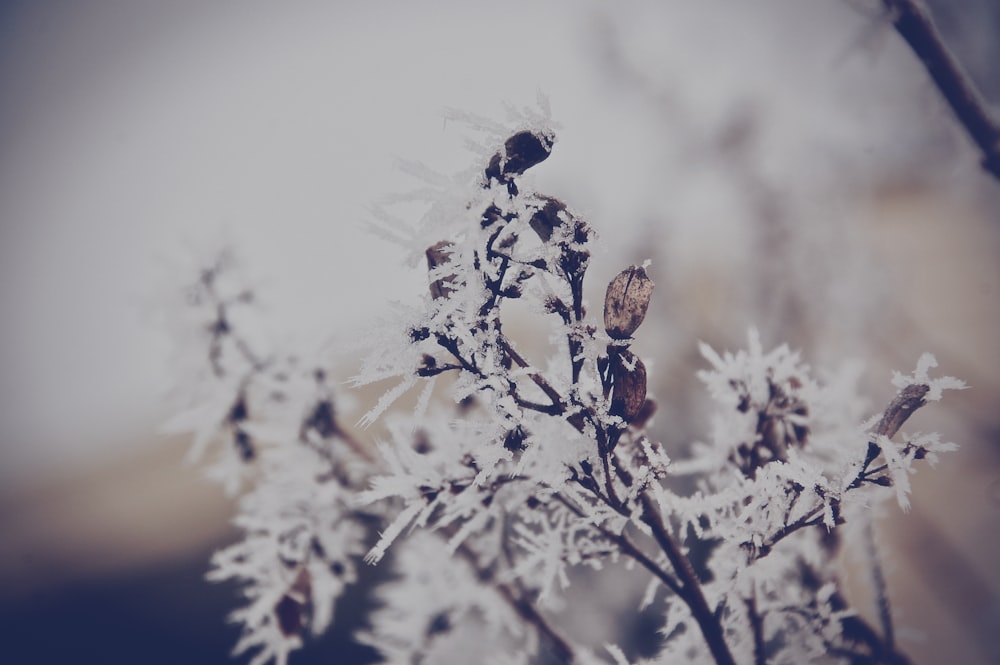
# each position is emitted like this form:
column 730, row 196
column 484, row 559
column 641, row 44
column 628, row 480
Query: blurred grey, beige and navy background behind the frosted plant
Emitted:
column 784, row 164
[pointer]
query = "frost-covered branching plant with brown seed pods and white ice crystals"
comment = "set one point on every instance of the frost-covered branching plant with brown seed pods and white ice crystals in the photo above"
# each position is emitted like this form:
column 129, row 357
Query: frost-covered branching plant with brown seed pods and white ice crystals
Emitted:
column 513, row 472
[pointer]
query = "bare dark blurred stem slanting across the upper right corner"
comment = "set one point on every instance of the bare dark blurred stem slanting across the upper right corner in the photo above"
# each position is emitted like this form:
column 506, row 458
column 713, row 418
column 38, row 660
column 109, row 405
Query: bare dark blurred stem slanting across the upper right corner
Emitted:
column 914, row 24
